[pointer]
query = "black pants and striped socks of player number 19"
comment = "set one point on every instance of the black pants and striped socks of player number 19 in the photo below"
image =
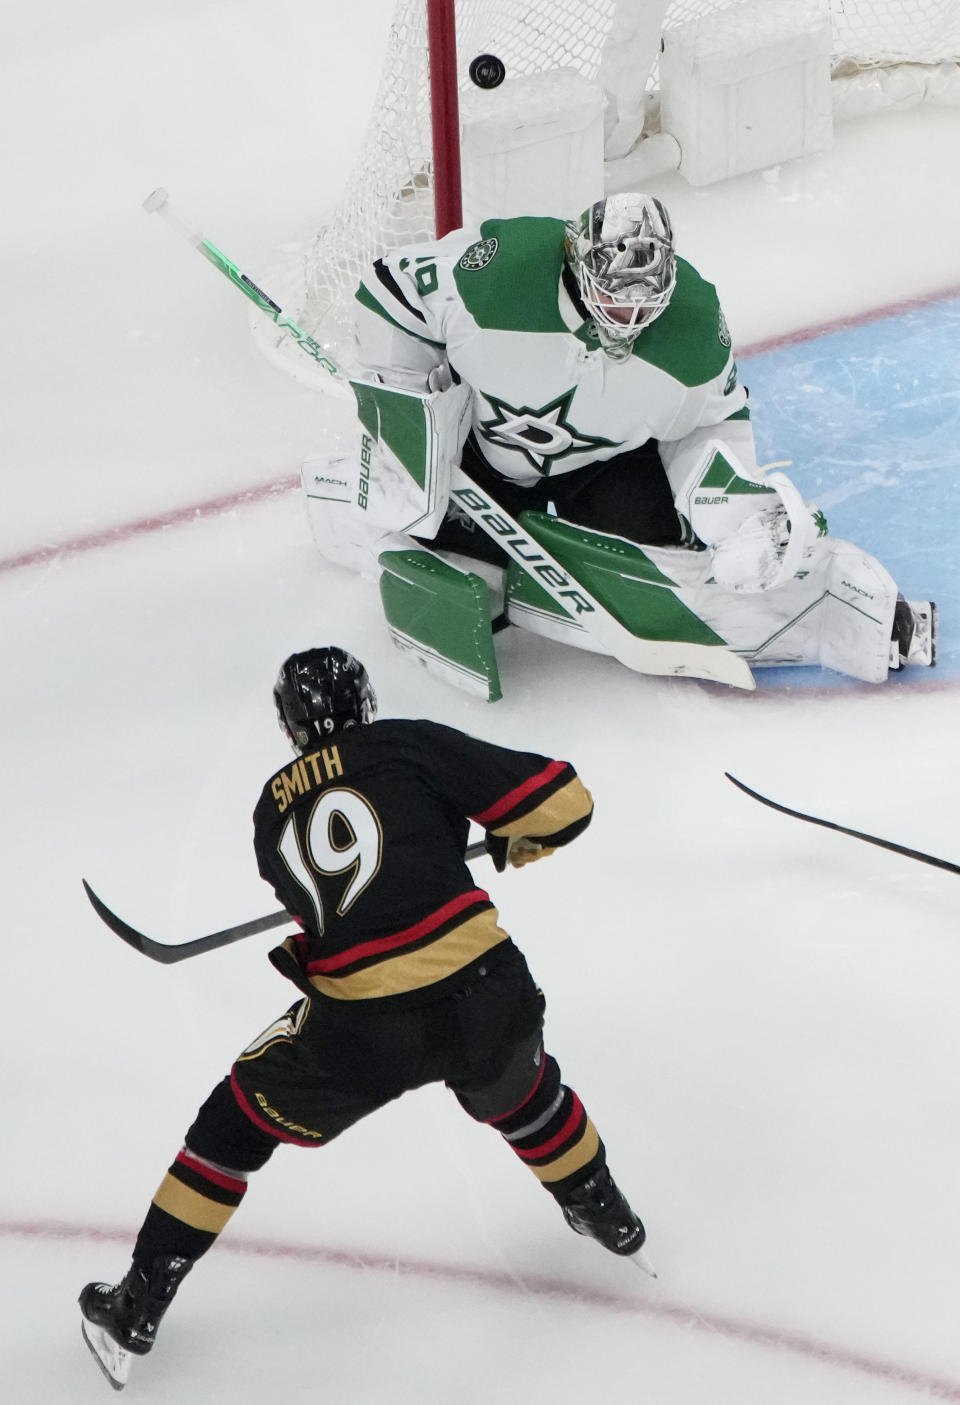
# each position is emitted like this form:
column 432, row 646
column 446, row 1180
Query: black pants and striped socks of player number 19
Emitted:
column 324, row 1066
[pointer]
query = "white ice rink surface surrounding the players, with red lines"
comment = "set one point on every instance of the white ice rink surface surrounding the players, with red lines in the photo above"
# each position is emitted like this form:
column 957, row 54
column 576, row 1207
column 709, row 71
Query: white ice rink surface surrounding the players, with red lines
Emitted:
column 760, row 1015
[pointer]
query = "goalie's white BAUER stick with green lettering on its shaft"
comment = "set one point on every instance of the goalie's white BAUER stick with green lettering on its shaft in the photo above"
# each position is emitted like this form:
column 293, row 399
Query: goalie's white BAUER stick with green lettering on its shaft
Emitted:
column 654, row 657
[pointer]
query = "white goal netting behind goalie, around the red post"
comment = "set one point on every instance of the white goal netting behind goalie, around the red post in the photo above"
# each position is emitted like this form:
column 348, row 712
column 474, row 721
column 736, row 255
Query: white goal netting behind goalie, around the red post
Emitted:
column 885, row 53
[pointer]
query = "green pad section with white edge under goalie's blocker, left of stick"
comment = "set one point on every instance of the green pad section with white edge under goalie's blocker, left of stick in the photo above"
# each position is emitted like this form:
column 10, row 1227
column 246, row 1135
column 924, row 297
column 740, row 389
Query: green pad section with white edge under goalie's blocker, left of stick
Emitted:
column 442, row 616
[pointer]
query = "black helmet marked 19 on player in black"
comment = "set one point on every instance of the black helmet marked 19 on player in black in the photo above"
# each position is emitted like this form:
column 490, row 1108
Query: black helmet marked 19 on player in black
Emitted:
column 321, row 692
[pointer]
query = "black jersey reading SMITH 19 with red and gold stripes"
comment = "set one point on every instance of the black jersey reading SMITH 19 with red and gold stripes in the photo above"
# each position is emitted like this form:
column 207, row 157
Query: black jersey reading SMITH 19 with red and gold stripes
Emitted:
column 363, row 841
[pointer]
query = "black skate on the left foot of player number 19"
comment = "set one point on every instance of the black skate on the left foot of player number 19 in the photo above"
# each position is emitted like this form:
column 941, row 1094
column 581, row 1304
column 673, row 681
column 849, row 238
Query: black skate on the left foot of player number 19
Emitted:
column 122, row 1321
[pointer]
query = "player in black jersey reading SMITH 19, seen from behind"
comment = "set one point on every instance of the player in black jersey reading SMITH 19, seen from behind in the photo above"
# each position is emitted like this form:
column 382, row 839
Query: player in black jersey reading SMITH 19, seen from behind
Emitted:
column 406, row 977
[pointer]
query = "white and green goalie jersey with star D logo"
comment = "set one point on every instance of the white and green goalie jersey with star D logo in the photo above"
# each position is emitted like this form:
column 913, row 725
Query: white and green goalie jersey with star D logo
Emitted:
column 500, row 307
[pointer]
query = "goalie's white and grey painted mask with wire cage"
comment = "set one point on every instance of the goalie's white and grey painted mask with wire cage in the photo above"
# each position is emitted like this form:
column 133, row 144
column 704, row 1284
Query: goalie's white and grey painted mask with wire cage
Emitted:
column 622, row 255
